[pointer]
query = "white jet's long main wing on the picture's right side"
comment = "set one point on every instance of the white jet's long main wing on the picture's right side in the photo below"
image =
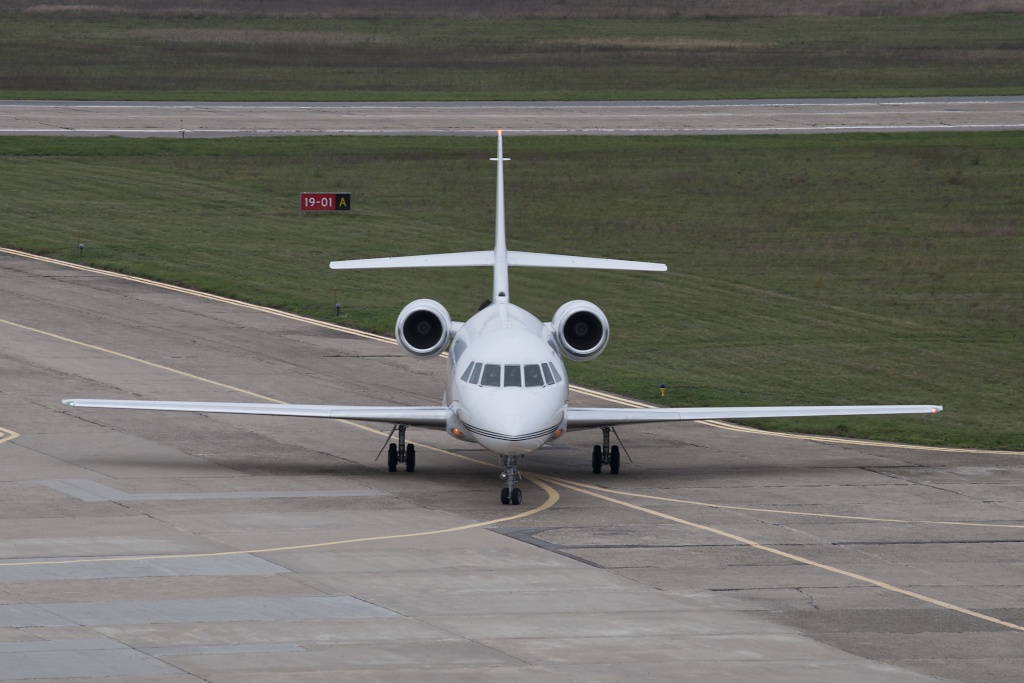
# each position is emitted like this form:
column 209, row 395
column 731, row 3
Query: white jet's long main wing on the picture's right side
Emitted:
column 585, row 418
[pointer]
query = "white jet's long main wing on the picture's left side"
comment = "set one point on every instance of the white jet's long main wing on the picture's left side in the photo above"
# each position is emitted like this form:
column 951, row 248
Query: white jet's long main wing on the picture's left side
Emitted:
column 417, row 416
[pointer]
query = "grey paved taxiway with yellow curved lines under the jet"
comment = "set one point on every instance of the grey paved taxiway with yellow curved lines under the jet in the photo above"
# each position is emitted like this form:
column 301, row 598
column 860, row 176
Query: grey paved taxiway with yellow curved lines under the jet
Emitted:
column 167, row 548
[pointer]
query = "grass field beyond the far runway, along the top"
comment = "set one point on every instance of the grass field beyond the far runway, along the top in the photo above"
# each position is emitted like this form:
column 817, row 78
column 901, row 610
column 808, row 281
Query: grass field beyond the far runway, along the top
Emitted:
column 206, row 55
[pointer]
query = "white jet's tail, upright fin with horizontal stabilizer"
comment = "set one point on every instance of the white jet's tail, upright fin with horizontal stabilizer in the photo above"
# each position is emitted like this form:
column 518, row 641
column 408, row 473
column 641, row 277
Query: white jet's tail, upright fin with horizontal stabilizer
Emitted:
column 500, row 259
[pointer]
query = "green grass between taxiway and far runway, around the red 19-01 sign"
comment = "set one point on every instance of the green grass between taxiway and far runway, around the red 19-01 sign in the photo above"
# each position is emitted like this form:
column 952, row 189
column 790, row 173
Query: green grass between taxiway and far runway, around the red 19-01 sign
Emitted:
column 802, row 270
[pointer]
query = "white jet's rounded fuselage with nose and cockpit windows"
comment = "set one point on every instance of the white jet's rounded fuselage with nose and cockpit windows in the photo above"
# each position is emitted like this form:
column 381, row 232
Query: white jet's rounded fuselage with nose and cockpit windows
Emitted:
column 507, row 388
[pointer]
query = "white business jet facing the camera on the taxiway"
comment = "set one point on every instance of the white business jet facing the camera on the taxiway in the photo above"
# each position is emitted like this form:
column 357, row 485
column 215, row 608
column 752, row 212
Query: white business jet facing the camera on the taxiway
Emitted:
column 506, row 388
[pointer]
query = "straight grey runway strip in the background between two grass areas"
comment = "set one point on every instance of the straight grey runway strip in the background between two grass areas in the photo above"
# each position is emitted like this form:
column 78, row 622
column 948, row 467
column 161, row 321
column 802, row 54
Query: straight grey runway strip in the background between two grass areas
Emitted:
column 625, row 118
